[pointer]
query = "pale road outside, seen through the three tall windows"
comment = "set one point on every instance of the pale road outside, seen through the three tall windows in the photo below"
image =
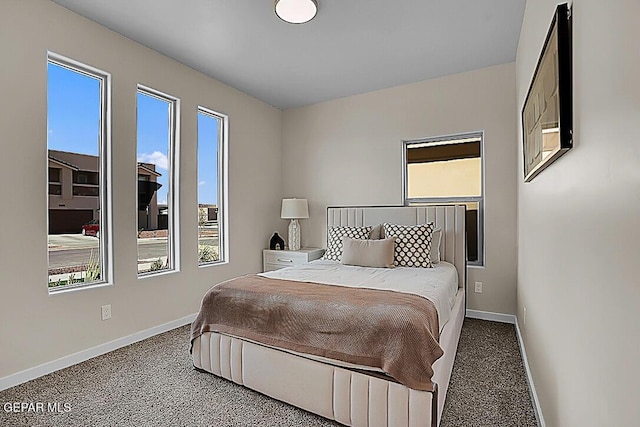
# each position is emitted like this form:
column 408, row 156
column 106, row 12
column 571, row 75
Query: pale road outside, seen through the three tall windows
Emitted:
column 67, row 250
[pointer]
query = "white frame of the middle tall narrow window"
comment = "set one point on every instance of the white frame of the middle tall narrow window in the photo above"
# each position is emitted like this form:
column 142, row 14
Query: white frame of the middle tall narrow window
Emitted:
column 173, row 205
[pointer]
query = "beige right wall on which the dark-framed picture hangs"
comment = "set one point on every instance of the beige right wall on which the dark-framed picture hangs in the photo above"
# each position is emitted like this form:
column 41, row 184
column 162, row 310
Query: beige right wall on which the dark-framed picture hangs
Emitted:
column 579, row 226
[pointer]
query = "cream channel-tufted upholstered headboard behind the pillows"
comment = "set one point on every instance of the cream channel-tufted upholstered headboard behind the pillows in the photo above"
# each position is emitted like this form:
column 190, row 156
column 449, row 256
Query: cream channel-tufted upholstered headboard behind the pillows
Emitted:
column 451, row 218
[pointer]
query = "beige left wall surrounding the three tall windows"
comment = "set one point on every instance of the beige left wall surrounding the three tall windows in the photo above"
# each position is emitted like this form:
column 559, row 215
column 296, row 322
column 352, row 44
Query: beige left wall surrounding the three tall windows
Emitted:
column 37, row 328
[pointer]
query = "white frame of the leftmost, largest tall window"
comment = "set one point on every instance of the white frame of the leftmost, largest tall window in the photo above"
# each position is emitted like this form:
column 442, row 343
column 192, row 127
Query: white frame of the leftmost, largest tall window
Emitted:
column 105, row 196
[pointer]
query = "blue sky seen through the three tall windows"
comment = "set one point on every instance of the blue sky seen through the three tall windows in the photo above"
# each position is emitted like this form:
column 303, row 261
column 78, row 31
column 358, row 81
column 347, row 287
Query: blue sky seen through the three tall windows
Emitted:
column 73, row 122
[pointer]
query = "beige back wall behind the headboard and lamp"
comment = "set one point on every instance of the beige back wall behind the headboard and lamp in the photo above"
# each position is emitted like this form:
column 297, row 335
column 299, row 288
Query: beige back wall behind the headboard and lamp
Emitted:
column 349, row 152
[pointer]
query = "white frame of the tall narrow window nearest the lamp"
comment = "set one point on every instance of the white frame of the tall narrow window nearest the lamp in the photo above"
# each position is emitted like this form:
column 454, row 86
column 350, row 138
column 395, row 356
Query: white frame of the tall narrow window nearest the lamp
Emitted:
column 223, row 160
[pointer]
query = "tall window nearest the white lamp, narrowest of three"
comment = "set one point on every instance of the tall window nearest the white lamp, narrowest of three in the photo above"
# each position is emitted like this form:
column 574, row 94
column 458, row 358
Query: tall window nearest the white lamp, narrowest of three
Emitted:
column 211, row 179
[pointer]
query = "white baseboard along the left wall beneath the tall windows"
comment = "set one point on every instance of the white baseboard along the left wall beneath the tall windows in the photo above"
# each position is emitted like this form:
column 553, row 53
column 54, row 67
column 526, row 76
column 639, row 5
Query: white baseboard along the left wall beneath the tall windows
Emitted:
column 81, row 356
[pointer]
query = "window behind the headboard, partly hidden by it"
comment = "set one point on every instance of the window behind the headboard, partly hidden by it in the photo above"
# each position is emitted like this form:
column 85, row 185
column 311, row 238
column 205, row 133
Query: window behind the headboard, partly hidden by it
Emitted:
column 448, row 170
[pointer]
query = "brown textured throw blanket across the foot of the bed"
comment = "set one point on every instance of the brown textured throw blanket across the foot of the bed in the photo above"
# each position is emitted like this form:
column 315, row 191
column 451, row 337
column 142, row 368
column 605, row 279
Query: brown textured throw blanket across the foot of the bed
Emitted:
column 390, row 330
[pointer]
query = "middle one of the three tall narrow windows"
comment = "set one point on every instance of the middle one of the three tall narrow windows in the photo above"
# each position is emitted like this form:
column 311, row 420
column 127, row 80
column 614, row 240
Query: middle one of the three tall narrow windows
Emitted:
column 157, row 148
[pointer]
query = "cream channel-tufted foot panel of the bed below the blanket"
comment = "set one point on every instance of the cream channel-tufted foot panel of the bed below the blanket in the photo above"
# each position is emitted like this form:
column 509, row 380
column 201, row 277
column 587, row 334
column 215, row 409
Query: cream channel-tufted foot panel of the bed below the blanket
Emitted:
column 349, row 397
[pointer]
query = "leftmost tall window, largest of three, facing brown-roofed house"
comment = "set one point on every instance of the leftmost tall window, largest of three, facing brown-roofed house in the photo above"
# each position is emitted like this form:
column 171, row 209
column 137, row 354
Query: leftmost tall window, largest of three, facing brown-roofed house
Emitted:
column 78, row 143
